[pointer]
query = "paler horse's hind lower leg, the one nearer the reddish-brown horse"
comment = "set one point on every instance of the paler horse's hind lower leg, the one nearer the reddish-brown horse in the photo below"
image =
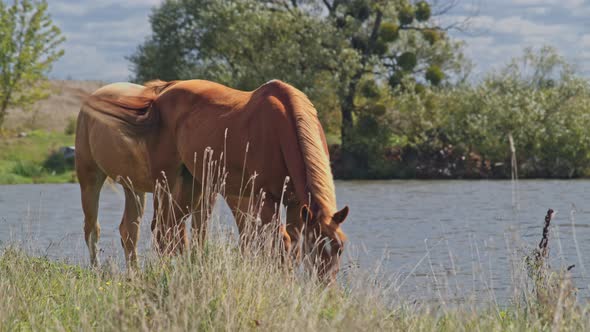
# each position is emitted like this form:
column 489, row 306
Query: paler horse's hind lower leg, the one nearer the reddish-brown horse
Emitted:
column 129, row 227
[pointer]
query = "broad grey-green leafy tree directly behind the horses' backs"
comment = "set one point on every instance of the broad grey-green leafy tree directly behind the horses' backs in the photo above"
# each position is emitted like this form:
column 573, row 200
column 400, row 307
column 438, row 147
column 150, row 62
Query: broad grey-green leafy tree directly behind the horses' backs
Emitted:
column 243, row 44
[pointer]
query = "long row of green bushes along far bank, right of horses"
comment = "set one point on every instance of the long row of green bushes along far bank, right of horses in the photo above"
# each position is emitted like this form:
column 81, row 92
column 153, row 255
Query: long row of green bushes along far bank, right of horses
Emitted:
column 463, row 131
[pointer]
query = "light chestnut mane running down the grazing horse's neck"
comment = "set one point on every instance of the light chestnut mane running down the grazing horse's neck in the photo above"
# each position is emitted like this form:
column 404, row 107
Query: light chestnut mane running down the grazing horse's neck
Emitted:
column 311, row 164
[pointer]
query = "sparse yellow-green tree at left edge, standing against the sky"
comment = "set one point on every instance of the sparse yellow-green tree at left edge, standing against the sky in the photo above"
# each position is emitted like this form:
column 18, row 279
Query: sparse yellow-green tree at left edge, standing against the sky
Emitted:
column 29, row 45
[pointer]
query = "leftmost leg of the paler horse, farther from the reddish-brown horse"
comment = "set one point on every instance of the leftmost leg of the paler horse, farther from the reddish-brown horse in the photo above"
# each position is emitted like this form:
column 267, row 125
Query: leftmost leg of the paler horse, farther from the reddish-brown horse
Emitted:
column 91, row 181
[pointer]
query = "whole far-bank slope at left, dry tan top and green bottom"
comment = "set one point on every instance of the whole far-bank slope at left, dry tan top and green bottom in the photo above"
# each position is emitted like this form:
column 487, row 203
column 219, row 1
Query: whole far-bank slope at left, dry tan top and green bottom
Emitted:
column 48, row 125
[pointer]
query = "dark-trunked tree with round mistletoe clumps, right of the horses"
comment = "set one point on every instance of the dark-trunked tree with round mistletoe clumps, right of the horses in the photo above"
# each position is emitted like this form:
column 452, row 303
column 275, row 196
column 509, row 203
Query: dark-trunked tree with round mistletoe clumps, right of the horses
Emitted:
column 397, row 43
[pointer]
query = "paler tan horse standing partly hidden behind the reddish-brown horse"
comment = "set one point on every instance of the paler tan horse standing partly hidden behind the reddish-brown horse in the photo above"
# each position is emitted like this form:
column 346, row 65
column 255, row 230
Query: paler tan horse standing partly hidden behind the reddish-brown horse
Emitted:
column 102, row 150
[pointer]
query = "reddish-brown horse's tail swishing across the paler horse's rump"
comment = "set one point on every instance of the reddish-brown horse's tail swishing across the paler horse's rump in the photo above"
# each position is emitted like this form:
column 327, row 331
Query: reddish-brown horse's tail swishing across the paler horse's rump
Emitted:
column 134, row 113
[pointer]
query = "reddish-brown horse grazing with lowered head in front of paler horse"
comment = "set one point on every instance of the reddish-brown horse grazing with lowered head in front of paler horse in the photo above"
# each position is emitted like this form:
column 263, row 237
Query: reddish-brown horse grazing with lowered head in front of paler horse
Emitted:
column 272, row 132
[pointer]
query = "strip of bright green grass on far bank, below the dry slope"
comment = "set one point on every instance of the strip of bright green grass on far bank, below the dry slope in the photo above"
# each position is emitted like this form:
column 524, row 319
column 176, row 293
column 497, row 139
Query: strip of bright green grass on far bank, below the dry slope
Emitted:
column 21, row 159
